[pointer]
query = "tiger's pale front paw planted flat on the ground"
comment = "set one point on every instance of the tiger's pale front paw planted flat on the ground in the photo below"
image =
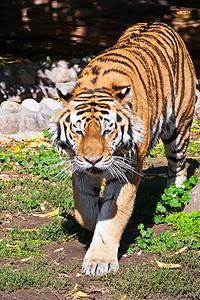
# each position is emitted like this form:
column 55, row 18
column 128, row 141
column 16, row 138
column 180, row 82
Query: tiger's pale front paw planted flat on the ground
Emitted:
column 98, row 265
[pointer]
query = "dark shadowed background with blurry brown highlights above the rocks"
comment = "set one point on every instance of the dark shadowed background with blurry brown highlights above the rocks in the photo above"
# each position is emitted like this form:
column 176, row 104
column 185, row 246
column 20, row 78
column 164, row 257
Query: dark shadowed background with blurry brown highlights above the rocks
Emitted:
column 81, row 27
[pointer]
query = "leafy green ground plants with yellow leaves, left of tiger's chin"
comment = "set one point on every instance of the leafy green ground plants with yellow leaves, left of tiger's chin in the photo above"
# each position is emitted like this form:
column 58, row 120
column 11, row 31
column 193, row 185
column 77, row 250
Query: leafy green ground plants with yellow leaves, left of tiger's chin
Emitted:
column 44, row 162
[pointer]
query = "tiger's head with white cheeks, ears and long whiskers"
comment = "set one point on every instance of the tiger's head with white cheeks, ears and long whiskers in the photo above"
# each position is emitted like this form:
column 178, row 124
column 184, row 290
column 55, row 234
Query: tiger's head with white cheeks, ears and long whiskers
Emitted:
column 99, row 130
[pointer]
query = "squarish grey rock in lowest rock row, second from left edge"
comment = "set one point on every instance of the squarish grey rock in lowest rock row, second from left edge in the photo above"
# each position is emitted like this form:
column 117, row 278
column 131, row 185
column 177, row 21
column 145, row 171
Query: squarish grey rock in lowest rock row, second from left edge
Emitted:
column 36, row 122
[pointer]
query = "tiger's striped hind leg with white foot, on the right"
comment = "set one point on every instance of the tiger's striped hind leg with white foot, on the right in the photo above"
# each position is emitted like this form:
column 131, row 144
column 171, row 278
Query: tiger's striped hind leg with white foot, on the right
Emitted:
column 176, row 140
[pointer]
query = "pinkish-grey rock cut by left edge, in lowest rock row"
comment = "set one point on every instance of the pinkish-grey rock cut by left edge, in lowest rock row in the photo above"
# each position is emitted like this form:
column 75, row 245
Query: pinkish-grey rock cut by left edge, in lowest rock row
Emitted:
column 8, row 124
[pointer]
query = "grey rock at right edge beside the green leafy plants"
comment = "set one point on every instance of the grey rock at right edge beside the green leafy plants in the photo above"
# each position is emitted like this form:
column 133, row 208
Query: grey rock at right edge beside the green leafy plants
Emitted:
column 194, row 203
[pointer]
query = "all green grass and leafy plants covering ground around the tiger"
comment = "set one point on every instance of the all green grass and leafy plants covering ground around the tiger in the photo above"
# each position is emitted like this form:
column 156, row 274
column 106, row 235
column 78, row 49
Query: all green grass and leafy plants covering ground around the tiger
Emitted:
column 34, row 168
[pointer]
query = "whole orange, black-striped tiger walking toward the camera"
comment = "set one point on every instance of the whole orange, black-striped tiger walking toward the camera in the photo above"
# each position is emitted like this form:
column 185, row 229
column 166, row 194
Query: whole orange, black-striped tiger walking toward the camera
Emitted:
column 128, row 97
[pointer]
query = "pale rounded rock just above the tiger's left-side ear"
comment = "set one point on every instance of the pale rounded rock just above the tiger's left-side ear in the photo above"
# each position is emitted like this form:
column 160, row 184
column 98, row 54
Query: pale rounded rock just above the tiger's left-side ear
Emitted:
column 60, row 71
